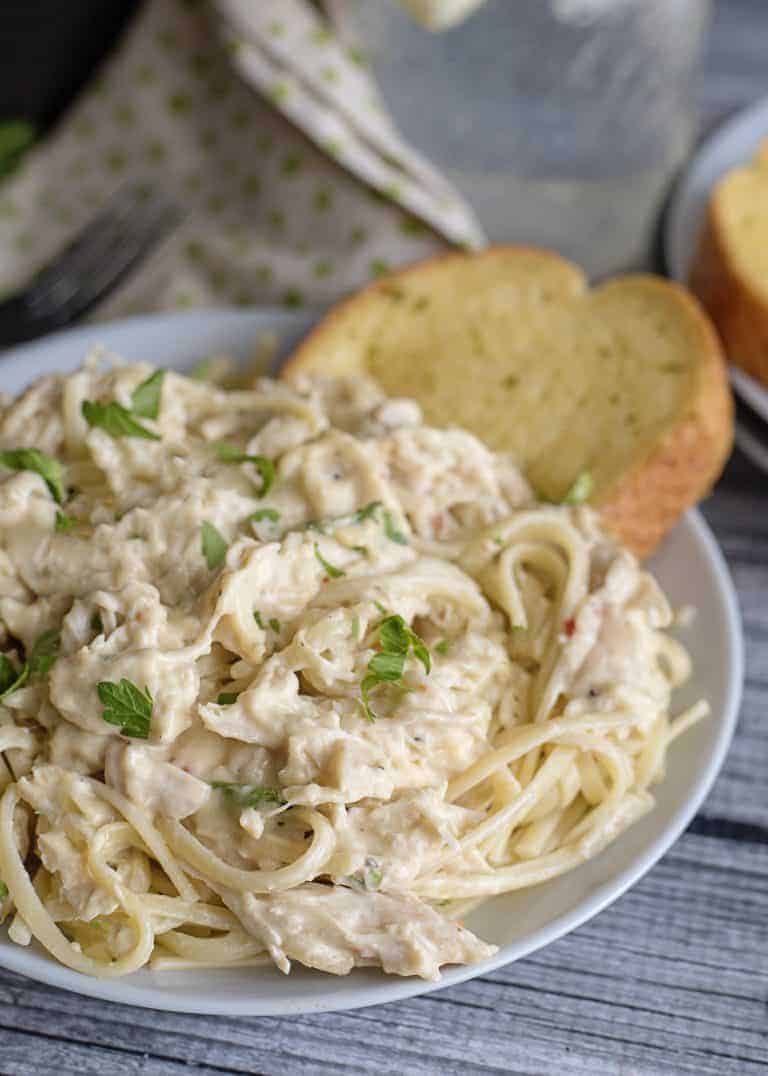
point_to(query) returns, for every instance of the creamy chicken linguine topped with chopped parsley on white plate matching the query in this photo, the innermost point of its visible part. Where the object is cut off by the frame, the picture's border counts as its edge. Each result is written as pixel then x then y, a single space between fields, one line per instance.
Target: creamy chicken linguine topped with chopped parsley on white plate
pixel 289 676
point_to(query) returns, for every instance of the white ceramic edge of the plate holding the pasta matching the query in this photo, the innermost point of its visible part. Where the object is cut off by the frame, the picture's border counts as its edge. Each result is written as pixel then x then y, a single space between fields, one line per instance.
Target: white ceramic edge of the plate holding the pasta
pixel 207 329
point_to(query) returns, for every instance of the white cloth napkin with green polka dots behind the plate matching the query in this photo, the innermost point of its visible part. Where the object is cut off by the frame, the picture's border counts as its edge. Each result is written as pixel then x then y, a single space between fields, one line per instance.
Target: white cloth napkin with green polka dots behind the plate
pixel 247 117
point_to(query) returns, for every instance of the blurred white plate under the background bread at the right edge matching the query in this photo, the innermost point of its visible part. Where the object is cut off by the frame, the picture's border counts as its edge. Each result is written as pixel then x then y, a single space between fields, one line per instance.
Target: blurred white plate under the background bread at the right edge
pixel 732 145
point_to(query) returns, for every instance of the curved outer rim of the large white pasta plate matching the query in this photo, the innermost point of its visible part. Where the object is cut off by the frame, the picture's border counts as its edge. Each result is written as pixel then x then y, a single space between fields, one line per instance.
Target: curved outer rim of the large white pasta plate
pixel 18 959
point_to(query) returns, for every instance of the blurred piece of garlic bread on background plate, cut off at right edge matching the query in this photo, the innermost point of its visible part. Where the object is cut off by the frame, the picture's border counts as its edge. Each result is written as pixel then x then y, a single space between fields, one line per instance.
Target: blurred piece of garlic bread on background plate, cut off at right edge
pixel 730 273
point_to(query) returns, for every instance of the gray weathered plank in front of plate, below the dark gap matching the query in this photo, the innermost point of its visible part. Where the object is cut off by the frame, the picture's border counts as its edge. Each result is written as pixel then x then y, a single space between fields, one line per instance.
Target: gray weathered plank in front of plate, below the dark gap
pixel 671 980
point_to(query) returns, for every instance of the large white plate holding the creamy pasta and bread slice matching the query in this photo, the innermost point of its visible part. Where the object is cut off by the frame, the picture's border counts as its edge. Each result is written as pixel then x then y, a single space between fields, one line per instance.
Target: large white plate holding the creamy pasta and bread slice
pixel 693 572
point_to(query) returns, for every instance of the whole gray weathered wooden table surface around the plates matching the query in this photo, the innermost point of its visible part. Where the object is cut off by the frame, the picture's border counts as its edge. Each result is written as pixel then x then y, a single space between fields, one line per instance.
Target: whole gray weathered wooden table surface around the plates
pixel 671 980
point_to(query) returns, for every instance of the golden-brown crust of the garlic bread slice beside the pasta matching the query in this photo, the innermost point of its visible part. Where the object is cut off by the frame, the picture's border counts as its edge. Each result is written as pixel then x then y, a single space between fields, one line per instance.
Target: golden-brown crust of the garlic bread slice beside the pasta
pixel 682 465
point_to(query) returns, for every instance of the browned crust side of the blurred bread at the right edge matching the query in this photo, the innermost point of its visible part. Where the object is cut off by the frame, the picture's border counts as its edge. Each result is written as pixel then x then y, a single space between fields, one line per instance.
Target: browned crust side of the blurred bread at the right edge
pixel 739 314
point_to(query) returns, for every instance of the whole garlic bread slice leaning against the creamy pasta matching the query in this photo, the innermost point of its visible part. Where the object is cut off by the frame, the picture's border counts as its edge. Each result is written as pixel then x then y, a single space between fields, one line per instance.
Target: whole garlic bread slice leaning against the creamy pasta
pixel 627 381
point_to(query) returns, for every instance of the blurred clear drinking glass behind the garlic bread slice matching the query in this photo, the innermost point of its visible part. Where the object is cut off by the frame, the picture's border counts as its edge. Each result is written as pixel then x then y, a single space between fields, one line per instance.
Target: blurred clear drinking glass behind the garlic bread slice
pixel 562 121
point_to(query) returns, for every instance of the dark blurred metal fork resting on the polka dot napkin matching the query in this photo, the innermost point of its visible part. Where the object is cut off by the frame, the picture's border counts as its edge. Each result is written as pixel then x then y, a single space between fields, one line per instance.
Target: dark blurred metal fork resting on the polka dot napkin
pixel 99 257
